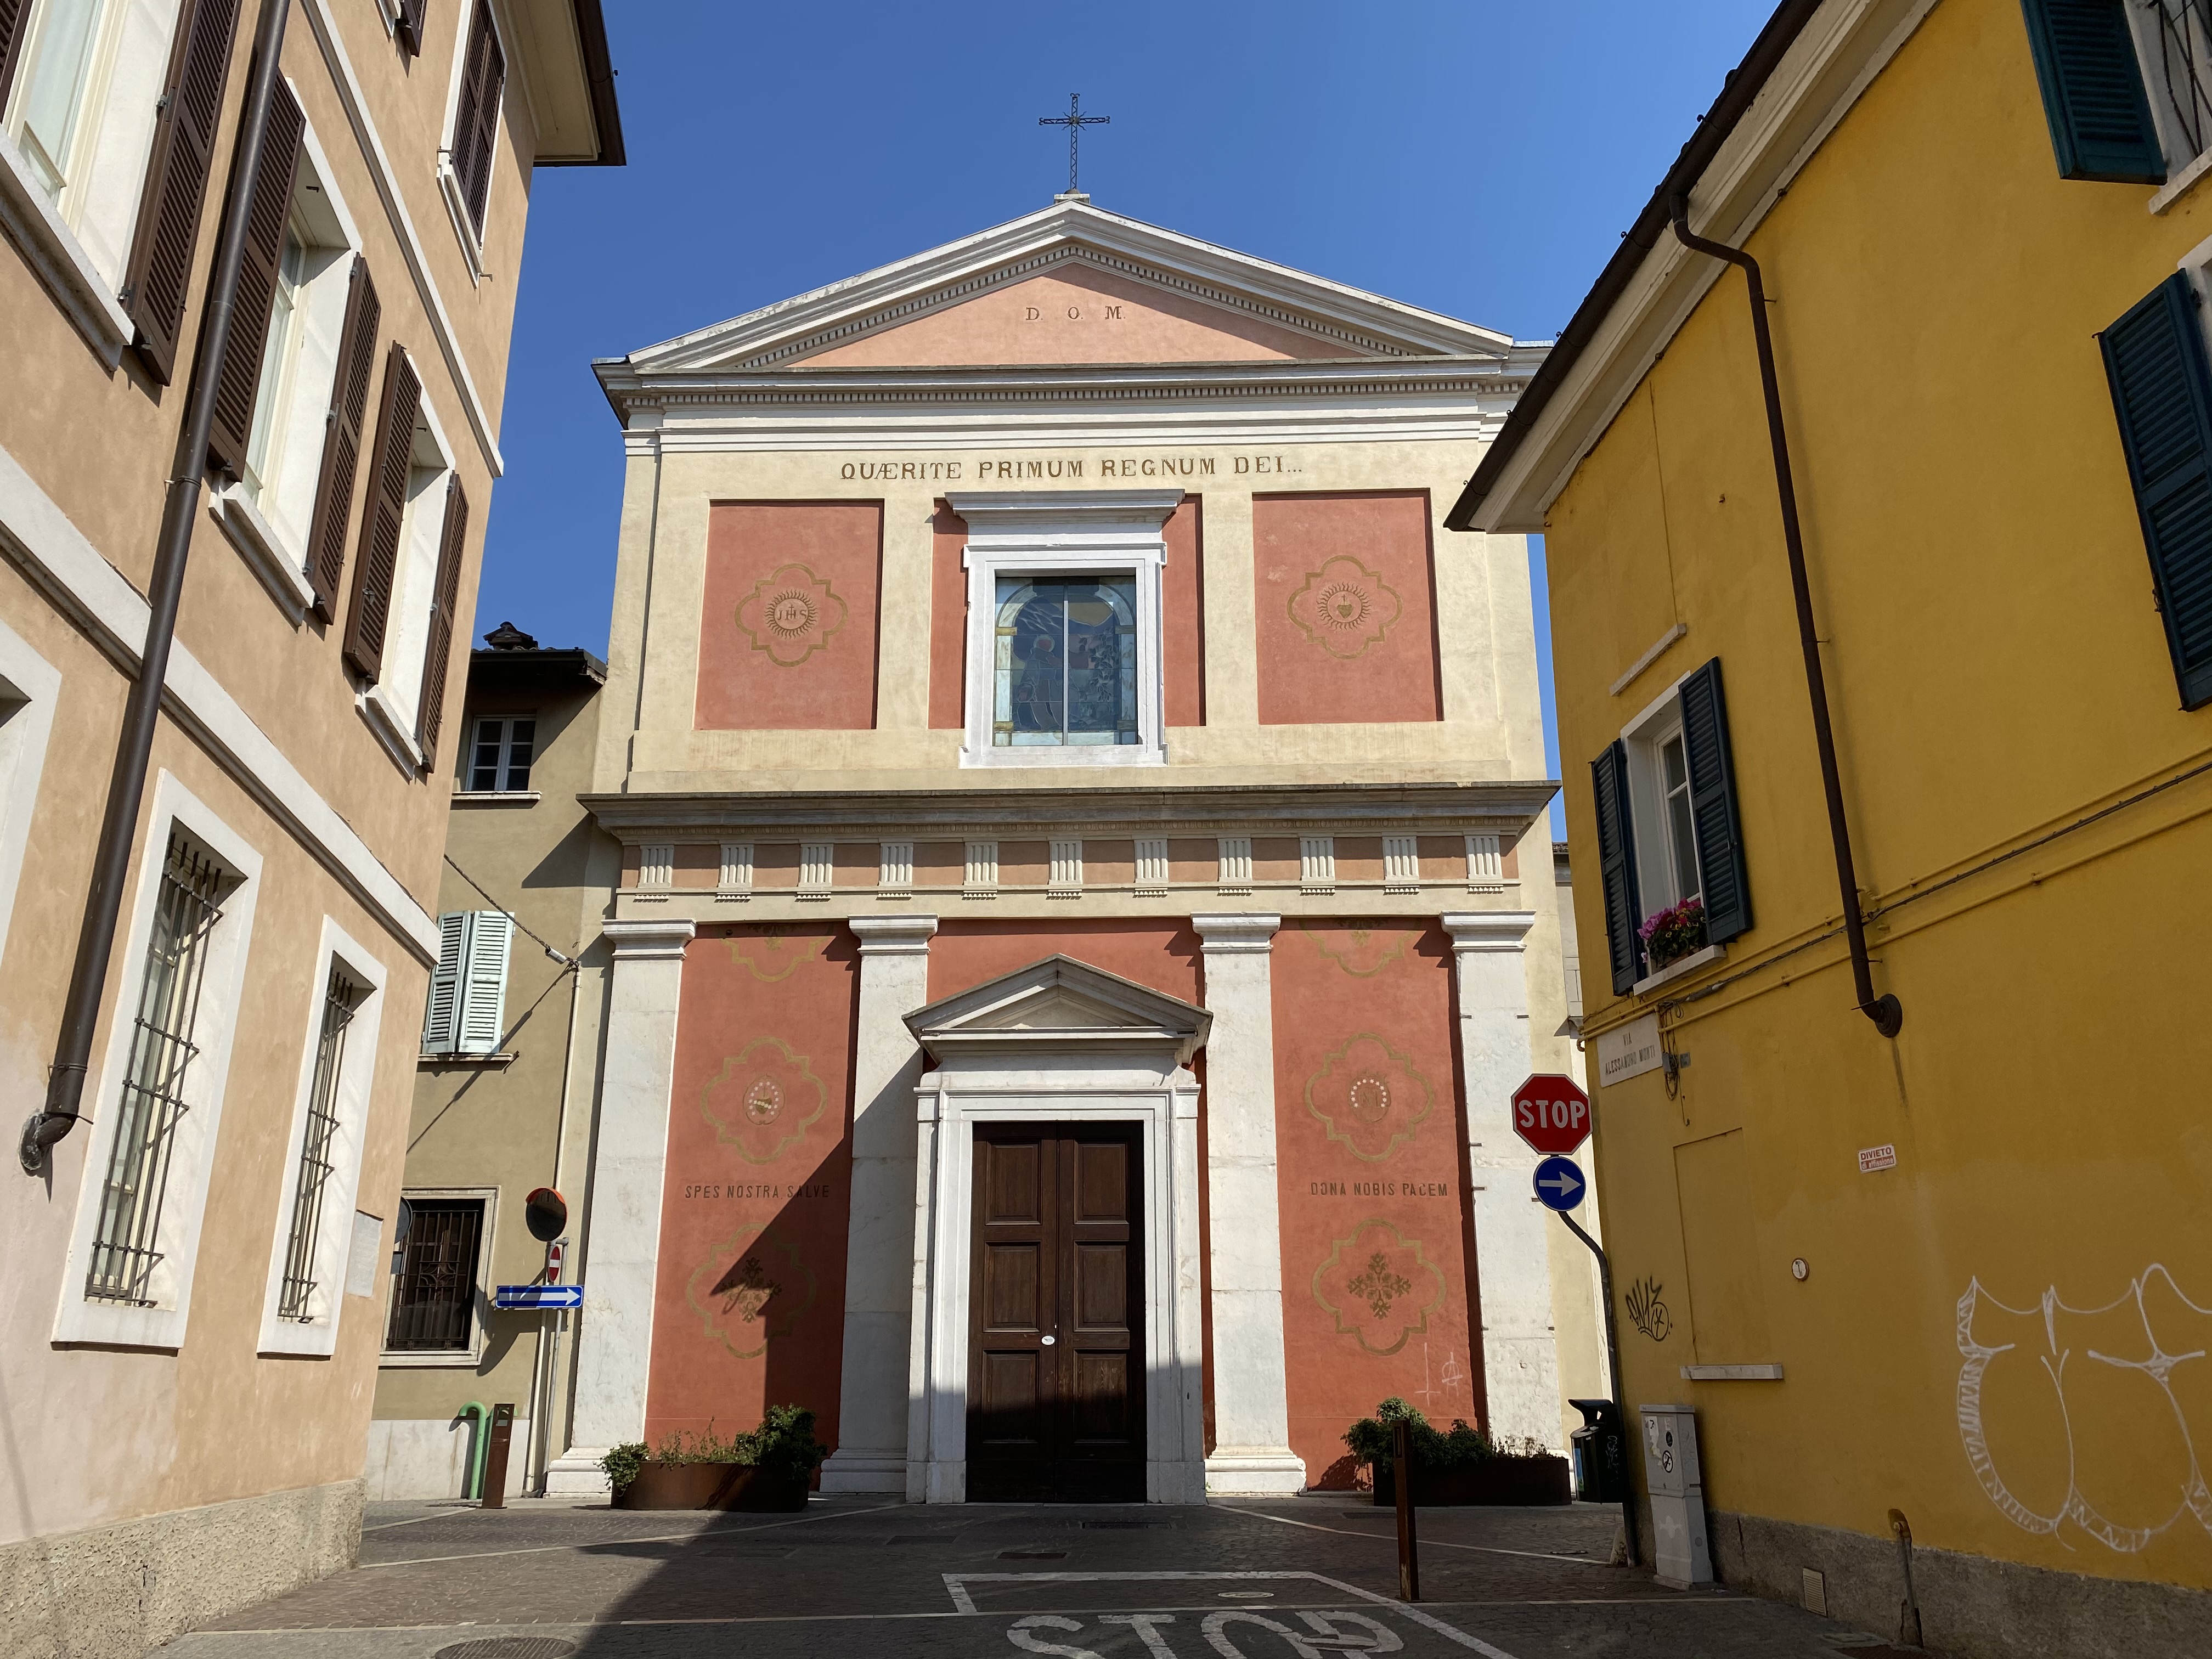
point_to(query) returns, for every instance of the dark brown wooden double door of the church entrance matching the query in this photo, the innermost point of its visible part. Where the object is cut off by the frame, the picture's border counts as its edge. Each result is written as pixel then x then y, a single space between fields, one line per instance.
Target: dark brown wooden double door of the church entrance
pixel 1056 1326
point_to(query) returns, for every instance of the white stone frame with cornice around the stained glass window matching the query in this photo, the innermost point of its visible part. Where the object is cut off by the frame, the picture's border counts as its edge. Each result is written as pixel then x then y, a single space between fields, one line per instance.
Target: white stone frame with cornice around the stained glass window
pixel 1067 534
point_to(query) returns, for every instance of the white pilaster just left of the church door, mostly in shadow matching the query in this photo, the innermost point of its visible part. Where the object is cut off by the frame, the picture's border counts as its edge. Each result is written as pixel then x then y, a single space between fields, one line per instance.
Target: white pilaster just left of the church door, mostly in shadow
pixel 879 1253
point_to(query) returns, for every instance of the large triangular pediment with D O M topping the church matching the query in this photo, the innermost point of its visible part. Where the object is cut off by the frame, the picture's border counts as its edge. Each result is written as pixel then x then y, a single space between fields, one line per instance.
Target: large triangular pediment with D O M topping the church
pixel 1005 298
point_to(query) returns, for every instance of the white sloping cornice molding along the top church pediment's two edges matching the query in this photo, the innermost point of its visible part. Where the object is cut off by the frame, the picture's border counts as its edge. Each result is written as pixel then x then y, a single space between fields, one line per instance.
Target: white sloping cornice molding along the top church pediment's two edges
pixel 957 271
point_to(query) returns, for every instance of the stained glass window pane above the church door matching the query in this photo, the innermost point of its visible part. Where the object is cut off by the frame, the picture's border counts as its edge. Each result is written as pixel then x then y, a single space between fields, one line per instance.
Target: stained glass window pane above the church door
pixel 1067 662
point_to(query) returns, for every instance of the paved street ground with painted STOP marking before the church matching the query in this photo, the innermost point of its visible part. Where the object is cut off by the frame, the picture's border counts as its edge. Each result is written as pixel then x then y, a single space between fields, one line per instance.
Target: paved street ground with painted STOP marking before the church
pixel 1249 1580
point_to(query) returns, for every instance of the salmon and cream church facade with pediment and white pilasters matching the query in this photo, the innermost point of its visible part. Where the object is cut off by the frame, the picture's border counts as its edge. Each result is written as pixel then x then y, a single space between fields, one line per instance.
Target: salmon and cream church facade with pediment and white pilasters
pixel 1087 895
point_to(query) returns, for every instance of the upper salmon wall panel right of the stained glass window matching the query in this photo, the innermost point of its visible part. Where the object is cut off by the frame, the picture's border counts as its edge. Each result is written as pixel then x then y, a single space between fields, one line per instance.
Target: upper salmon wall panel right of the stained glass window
pixel 1346 609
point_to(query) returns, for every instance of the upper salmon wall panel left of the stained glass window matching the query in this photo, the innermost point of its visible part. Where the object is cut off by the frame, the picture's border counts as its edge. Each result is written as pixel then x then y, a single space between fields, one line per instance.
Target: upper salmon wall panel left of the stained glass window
pixel 789 618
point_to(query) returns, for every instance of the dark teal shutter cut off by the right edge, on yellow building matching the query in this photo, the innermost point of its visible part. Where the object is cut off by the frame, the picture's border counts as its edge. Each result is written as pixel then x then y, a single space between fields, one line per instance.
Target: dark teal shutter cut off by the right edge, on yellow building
pixel 2162 393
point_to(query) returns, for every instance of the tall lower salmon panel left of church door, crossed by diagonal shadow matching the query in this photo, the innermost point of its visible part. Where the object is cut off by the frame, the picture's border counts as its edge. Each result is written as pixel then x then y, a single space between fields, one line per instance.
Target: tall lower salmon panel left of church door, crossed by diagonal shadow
pixel 751 1300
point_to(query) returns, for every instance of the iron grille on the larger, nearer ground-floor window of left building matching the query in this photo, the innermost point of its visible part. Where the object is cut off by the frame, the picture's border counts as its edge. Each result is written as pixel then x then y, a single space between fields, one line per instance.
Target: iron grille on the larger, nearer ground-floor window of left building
pixel 152 1105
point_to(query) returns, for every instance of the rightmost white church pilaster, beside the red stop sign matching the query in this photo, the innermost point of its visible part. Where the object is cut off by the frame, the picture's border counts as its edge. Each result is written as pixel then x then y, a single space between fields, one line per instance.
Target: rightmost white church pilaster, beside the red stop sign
pixel 1521 1359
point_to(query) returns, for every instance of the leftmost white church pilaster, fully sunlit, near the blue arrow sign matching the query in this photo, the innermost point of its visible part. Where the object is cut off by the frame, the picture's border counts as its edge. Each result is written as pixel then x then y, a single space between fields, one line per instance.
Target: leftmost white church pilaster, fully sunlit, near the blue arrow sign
pixel 623 1233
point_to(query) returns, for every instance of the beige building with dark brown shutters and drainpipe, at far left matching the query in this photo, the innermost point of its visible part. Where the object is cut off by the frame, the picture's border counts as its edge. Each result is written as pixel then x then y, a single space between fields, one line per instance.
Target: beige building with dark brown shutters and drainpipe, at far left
pixel 198 1255
